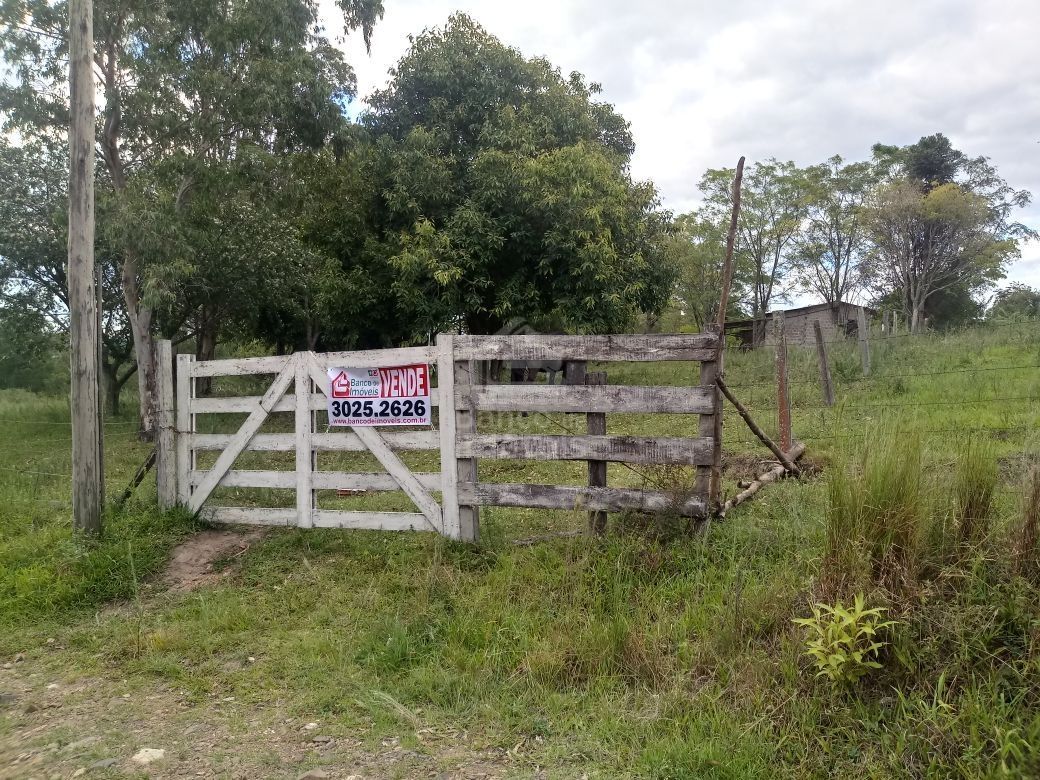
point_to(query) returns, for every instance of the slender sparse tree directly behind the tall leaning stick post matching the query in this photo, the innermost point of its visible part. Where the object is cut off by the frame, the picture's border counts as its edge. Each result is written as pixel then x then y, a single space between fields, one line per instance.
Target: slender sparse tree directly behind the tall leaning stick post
pixel 773 209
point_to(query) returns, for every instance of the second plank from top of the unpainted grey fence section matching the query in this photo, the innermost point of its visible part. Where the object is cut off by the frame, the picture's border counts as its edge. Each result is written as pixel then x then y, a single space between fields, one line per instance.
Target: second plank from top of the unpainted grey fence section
pixel 588 399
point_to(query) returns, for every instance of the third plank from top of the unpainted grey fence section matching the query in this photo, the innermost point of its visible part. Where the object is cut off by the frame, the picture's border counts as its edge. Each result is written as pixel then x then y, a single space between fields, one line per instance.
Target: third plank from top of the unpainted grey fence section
pixel 616 449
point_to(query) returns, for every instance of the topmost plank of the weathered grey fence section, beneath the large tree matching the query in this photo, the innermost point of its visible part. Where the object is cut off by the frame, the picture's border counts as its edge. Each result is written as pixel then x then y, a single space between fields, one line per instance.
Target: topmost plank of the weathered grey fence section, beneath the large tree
pixel 620 348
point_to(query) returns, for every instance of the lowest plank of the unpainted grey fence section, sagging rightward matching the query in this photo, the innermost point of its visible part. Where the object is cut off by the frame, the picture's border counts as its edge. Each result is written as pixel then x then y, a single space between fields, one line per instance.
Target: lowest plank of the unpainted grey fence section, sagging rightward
pixel 578 498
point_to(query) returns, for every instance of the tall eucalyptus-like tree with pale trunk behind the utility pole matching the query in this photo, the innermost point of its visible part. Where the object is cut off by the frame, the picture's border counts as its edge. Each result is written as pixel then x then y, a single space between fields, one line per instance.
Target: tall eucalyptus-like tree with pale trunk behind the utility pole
pixel 183 81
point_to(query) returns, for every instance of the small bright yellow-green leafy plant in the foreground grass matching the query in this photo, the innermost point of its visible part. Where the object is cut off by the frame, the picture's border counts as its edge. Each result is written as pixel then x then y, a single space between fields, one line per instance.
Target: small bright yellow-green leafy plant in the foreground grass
pixel 844 642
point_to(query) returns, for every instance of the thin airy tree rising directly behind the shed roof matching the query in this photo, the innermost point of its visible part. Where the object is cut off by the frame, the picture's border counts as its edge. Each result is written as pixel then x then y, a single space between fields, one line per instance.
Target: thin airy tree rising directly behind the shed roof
pixel 831 249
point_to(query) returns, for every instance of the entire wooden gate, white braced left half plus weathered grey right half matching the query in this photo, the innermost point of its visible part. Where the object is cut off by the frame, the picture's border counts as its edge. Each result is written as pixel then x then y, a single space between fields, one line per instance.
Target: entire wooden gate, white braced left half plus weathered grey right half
pixel 461 401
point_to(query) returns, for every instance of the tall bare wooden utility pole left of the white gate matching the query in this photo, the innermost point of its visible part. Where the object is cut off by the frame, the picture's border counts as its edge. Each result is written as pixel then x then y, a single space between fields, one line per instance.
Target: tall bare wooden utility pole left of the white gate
pixel 88 478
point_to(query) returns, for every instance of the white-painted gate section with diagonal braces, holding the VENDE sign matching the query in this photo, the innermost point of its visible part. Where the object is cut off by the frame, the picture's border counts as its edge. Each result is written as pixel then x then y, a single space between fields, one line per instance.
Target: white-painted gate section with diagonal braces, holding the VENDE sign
pixel 301 386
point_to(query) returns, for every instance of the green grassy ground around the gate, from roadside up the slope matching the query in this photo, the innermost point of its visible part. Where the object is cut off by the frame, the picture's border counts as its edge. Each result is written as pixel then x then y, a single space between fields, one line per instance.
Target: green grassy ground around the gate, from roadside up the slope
pixel 642 655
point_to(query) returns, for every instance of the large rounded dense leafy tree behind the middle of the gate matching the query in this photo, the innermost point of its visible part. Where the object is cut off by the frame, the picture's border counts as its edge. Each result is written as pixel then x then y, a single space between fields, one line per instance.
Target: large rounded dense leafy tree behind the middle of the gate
pixel 507 194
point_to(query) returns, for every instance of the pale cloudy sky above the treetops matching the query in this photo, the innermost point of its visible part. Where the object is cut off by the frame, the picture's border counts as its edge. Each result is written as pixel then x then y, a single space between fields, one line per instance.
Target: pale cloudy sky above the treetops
pixel 705 83
